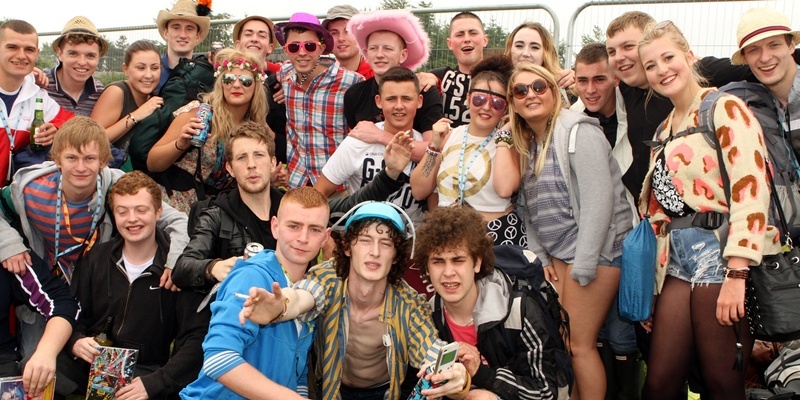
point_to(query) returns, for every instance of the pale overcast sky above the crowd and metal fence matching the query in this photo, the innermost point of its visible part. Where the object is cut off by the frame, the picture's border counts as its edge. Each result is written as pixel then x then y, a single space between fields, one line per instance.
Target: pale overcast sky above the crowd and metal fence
pixel 709 25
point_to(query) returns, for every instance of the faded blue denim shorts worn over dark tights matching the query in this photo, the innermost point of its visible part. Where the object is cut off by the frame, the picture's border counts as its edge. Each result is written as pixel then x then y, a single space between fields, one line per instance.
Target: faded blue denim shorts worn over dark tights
pixel 695 256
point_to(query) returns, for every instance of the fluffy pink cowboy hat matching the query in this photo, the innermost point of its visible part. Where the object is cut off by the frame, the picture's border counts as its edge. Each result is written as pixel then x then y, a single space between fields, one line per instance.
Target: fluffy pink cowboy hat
pixel 401 22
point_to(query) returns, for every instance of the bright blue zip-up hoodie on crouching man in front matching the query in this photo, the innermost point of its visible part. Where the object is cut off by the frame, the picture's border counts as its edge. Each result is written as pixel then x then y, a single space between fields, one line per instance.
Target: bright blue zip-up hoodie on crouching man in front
pixel 274 349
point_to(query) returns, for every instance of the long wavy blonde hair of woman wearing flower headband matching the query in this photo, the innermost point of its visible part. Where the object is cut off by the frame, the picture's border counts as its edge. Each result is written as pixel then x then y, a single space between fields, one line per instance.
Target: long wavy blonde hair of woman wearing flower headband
pixel 222 120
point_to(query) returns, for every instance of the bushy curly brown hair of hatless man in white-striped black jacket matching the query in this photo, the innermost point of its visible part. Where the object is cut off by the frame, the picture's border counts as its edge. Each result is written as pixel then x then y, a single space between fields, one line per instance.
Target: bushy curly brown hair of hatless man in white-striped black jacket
pixel 454 227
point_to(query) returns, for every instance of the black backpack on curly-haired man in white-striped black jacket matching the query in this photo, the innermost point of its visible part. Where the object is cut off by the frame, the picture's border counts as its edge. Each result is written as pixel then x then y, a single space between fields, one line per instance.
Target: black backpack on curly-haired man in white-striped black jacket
pixel 527 280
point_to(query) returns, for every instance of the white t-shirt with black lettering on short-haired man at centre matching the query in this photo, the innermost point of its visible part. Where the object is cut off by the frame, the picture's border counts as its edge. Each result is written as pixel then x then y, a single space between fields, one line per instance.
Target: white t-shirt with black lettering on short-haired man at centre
pixel 357 163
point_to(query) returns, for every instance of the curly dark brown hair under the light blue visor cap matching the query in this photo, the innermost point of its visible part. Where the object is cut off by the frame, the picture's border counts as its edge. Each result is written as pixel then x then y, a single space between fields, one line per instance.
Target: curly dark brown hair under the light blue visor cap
pixel 345 240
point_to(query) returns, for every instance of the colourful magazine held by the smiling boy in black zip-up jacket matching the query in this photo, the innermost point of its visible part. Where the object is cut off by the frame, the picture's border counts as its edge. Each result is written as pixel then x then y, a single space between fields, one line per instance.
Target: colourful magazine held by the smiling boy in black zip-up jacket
pixel 111 370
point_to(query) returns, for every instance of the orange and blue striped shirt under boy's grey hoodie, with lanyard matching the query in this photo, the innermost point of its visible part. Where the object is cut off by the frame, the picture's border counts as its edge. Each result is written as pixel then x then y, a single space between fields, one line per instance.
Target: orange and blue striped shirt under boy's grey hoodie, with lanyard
pixel 40 207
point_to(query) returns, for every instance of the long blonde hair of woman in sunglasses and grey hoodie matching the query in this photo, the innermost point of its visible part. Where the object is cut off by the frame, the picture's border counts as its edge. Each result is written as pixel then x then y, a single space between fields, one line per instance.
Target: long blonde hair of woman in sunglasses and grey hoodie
pixel 521 132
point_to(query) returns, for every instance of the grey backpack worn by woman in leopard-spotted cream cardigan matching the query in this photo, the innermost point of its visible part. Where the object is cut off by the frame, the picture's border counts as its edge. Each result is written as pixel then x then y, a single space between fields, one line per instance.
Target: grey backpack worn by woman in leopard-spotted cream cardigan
pixel 782 159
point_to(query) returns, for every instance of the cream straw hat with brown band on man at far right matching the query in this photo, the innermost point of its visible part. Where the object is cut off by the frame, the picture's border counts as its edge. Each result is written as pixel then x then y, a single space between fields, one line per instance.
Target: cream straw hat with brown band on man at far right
pixel 760 23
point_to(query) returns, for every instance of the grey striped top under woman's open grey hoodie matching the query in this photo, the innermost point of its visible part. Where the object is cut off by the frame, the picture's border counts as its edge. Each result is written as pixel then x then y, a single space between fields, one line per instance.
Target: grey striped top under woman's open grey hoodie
pixel 548 202
